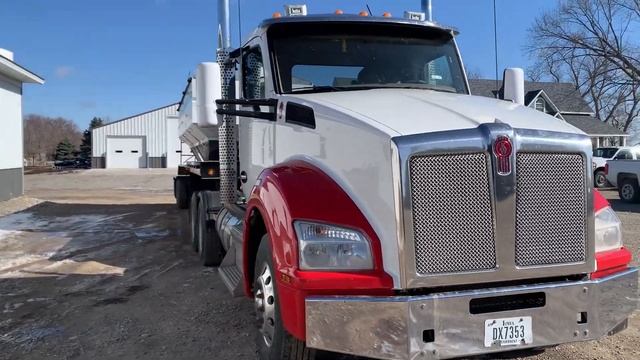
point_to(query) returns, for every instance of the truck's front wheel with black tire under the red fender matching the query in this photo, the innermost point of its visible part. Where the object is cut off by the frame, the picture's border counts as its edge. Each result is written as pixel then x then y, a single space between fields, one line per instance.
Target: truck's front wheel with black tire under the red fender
pixel 272 340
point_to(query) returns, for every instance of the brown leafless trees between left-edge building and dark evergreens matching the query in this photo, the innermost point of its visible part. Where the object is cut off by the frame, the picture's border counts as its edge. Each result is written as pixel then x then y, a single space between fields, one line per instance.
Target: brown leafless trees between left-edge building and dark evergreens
pixel 42 134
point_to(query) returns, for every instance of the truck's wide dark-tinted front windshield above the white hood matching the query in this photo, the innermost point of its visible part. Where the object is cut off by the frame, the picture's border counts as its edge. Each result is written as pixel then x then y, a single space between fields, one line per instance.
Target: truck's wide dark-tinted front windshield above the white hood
pixel 341 57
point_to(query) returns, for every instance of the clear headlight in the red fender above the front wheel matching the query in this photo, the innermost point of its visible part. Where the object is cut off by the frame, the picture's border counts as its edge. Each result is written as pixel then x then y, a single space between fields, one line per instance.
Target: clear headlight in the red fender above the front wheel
pixel 328 247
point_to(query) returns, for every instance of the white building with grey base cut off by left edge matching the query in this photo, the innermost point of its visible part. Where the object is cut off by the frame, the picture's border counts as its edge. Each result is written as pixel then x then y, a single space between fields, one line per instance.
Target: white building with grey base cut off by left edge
pixel 12 76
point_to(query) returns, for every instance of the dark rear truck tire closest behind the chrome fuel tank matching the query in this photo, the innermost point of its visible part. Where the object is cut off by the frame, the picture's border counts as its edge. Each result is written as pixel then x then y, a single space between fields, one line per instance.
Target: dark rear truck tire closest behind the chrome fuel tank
pixel 209 244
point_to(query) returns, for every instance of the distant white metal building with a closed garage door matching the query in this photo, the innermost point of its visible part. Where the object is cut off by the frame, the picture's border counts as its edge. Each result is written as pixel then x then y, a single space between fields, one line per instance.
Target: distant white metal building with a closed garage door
pixel 147 140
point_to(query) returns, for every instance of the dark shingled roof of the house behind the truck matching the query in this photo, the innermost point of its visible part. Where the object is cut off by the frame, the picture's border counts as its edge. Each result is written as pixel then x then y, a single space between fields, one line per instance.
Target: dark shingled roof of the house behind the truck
pixel 564 95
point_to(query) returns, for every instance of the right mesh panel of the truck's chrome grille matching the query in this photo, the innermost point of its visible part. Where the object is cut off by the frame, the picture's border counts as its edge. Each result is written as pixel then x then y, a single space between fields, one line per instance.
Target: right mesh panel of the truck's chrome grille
pixel 550 209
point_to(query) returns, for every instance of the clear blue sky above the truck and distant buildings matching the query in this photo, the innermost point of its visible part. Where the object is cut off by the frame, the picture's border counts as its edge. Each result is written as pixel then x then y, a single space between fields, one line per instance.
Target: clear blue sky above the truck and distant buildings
pixel 115 58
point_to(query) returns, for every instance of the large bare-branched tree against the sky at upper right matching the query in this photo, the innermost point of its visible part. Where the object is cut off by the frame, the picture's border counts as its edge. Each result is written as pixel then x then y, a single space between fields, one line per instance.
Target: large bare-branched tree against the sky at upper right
pixel 591 43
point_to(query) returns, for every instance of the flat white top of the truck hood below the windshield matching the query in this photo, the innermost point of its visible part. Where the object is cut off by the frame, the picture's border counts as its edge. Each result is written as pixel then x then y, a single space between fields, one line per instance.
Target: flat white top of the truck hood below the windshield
pixel 415 111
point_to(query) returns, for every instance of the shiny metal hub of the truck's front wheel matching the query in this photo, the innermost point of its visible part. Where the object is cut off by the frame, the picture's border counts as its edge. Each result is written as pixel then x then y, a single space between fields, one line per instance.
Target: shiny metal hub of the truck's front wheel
pixel 264 303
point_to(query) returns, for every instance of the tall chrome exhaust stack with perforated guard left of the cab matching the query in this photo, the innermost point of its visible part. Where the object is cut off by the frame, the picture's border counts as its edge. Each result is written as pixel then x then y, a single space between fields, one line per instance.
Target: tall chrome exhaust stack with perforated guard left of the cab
pixel 227 130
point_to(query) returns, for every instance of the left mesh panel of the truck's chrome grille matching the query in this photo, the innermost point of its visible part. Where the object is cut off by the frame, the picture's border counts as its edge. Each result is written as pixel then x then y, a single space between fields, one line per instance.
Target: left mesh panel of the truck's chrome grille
pixel 452 213
